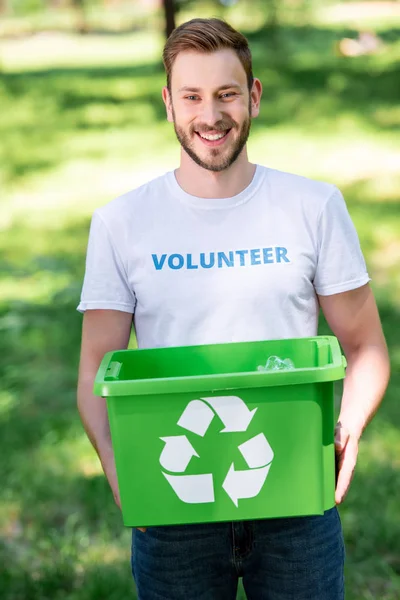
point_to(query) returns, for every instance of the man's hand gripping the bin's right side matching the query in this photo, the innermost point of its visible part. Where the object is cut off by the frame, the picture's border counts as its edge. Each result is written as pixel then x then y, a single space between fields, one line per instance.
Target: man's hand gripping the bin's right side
pixel 346 449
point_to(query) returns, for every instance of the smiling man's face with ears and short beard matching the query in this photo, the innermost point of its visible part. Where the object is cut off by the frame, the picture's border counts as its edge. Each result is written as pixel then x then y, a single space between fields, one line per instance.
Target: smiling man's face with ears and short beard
pixel 210 106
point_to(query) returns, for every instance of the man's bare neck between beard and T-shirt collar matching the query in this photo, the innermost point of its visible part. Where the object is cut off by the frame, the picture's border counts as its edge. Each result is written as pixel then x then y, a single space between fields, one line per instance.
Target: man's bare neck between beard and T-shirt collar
pixel 197 181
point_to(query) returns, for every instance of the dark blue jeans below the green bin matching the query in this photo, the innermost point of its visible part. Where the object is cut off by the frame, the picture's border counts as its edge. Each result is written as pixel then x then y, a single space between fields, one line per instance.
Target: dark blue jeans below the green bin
pixel 298 558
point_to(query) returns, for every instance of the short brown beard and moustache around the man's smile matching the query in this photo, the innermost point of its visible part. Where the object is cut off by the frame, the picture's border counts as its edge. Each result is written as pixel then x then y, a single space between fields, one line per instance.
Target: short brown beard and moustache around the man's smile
pixel 219 158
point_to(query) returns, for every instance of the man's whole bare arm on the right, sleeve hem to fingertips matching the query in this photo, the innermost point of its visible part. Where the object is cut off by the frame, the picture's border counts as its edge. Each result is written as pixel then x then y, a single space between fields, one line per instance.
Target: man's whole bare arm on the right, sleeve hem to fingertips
pixel 354 319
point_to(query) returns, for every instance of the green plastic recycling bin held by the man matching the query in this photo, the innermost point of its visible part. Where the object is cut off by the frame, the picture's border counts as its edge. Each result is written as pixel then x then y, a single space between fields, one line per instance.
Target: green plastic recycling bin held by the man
pixel 201 435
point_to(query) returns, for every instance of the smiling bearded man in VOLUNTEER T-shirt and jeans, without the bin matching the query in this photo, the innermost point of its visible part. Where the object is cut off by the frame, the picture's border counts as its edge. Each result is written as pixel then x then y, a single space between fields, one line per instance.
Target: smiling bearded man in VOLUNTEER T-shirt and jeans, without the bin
pixel 223 250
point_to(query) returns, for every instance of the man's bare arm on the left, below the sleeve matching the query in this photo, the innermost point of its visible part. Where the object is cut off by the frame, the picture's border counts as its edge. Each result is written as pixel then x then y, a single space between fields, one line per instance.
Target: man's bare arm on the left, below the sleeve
pixel 102 331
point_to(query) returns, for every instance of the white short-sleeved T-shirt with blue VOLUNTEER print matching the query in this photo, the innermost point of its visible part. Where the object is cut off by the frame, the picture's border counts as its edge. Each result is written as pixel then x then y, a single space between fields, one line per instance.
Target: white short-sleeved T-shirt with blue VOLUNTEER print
pixel 198 271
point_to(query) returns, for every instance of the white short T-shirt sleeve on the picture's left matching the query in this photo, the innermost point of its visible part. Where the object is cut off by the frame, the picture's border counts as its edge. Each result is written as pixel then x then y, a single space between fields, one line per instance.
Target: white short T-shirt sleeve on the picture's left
pixel 105 284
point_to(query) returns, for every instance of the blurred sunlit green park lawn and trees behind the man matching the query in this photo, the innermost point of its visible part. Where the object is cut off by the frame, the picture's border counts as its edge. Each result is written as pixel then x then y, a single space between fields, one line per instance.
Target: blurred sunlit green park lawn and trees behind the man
pixel 82 121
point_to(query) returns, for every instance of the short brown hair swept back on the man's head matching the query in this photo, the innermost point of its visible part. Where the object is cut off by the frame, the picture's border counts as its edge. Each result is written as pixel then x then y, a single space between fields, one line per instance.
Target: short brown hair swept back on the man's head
pixel 206 35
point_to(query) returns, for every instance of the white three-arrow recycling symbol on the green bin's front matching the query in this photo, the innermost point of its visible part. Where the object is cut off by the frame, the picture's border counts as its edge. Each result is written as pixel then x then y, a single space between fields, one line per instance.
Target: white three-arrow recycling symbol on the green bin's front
pixel 178 452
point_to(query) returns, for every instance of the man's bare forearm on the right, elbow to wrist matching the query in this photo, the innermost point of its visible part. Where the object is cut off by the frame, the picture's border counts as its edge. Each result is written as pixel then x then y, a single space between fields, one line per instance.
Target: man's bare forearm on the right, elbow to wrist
pixel 365 384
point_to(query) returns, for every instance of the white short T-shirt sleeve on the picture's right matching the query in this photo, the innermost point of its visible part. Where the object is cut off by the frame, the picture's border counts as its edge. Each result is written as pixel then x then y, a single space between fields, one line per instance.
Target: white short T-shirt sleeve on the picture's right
pixel 340 266
